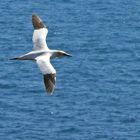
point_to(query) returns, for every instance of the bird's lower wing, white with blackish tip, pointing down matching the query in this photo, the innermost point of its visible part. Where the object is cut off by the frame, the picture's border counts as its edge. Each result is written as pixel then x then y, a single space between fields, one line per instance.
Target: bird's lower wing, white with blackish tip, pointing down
pixel 48 72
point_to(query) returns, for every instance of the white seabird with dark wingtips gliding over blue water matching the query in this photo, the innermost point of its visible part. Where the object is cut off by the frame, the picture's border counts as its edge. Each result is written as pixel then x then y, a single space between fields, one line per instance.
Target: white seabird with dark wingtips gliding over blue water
pixel 42 54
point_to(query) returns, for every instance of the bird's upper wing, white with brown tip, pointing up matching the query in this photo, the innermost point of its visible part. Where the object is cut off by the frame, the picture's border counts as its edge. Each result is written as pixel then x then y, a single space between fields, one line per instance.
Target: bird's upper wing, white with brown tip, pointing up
pixel 39 34
